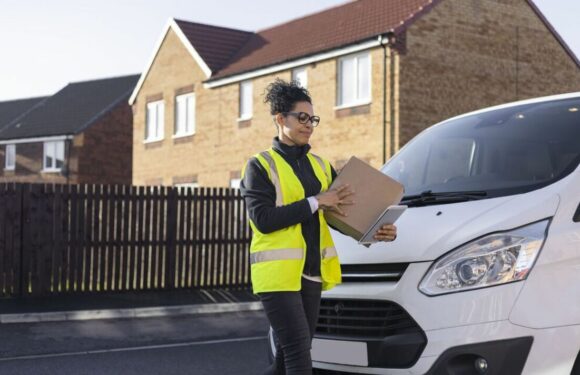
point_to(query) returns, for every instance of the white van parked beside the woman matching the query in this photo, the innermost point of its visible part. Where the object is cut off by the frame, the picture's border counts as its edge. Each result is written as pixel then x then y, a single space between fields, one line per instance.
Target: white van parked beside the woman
pixel 484 276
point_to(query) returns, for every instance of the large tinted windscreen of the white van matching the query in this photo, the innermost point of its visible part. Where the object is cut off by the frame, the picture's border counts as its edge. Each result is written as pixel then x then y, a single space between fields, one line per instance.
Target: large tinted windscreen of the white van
pixel 501 152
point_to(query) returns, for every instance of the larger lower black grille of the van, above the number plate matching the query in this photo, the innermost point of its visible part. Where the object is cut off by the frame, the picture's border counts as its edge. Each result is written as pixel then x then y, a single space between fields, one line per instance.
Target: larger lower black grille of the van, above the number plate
pixel 353 318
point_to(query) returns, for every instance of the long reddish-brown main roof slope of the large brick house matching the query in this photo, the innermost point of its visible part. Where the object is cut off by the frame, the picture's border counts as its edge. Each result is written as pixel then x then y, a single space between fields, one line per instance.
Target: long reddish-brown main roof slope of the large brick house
pixel 353 22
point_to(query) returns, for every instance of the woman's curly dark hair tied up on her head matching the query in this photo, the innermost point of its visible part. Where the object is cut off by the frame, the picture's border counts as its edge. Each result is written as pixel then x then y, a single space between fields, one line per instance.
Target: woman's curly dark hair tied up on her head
pixel 283 96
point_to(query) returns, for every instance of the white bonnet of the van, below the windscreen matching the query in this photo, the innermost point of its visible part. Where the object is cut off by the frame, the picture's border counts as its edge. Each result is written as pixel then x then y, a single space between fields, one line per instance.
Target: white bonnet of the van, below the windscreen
pixel 426 233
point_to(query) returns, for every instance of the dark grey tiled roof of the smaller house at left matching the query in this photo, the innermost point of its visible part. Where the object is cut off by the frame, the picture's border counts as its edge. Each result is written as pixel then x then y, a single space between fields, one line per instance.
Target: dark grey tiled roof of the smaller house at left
pixel 72 109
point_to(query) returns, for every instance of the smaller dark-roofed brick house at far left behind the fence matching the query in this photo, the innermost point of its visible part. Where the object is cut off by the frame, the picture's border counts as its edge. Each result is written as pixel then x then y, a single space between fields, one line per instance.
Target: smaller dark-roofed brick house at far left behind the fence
pixel 81 134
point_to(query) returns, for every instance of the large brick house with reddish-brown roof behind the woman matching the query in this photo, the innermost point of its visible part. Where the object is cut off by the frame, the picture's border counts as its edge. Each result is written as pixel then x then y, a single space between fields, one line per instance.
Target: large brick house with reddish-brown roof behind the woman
pixel 379 72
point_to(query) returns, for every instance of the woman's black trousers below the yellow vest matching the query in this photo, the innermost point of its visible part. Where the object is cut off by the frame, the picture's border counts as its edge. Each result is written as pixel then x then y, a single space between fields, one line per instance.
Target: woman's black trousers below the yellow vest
pixel 293 317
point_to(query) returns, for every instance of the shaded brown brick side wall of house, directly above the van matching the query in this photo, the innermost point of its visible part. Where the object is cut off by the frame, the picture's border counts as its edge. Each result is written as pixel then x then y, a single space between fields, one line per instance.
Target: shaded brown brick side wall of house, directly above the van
pixel 464 54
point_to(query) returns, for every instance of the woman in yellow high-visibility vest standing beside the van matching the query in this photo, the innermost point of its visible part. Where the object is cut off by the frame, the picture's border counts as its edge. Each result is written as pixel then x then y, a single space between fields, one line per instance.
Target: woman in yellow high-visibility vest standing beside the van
pixel 292 254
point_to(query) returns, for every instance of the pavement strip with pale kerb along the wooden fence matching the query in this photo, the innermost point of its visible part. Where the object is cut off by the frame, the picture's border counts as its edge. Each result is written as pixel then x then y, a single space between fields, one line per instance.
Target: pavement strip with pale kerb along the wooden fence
pixel 126 305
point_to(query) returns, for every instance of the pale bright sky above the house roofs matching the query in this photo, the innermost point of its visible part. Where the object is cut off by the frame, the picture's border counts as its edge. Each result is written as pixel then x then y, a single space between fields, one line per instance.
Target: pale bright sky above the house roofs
pixel 46 44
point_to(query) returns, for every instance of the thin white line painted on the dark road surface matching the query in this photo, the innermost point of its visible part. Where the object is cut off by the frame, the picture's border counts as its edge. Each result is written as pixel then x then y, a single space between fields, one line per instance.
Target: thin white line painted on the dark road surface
pixel 134 348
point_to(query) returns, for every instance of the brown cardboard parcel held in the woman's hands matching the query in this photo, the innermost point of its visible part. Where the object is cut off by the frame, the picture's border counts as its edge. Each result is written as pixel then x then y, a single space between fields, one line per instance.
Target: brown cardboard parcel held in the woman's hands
pixel 373 193
